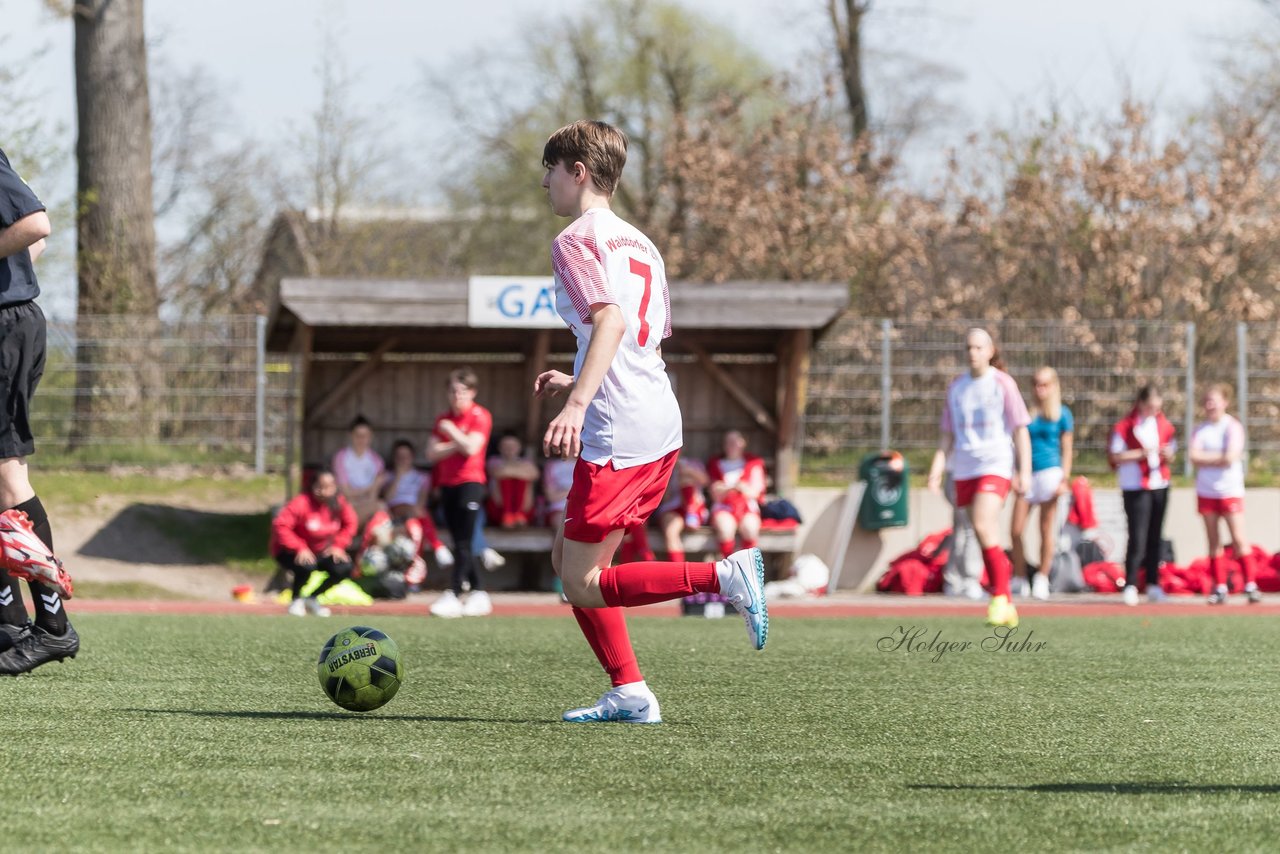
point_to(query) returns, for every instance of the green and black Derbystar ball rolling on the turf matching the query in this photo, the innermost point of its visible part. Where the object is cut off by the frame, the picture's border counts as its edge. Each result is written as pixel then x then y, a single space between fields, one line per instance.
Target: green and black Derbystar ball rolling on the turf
pixel 360 669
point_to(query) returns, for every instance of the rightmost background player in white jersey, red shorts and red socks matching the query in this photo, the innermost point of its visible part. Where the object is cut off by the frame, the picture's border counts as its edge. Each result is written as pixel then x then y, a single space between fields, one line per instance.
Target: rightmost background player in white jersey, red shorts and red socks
pixel 1218 446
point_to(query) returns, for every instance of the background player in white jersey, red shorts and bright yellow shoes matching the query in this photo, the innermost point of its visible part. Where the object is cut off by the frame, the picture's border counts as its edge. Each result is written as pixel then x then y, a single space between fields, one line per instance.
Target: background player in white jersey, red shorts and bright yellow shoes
pixel 985 432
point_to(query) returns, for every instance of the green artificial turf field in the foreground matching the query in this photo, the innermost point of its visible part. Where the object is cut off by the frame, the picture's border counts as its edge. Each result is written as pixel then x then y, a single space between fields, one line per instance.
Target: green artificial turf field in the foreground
pixel 213 734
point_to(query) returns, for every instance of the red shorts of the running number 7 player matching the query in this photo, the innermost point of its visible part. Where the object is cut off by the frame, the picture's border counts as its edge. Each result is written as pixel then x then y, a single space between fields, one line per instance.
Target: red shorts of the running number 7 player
pixel 605 500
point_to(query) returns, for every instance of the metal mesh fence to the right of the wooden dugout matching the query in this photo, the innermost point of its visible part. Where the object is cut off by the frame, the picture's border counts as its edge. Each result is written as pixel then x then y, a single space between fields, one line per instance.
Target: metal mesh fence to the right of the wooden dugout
pixel 881 385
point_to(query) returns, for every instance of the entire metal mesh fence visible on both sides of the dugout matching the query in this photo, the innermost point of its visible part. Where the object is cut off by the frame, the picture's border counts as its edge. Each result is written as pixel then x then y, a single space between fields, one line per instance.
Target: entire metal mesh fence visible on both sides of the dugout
pixel 218 398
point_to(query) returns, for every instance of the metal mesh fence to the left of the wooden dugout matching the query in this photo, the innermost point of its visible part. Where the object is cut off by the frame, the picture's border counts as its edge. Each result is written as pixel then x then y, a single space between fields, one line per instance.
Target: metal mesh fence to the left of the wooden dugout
pixel 163 392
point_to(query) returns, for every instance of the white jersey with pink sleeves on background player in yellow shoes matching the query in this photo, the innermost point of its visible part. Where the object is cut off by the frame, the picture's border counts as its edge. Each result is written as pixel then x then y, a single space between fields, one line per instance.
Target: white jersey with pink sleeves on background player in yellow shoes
pixel 982 414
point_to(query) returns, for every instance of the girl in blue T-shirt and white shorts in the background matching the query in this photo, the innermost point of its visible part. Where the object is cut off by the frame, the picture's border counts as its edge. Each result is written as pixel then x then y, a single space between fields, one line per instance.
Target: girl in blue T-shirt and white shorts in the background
pixel 1052 431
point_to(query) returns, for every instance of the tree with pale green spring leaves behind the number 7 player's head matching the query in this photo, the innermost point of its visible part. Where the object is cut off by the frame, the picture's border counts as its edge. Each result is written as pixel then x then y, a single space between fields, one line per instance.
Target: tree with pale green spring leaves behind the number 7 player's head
pixel 648 67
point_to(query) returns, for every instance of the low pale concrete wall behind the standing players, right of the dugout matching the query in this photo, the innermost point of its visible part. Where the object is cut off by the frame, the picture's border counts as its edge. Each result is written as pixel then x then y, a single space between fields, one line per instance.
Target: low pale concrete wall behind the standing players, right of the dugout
pixel 870 552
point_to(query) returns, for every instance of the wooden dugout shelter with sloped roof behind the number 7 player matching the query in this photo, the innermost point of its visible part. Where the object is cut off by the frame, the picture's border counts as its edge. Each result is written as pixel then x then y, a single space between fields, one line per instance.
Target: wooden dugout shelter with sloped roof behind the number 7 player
pixel 383 349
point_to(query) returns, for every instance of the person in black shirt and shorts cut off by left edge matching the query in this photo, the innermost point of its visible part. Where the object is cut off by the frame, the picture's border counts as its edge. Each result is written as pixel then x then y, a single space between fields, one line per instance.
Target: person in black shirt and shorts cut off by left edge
pixel 26 538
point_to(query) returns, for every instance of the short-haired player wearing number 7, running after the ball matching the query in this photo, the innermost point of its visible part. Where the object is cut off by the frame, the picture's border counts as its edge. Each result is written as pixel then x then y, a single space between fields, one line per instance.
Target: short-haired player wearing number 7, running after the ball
pixel 621 422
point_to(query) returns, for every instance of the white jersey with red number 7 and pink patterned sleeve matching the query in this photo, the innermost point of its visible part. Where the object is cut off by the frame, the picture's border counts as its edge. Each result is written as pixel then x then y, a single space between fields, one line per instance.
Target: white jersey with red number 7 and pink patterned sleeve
pixel 634 418
